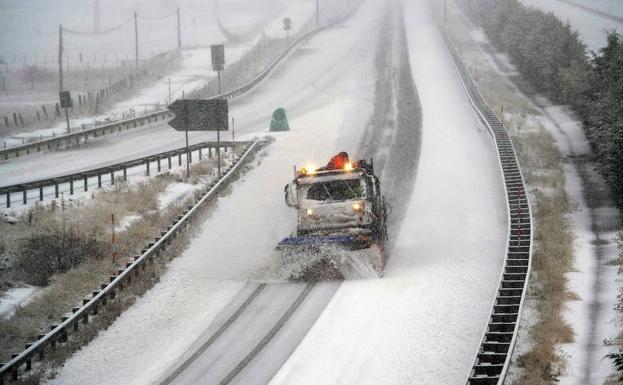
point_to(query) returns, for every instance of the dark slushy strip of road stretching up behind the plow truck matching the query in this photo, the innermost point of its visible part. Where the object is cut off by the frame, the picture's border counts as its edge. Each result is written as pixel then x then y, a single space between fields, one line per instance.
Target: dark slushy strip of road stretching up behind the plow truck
pixel 393 139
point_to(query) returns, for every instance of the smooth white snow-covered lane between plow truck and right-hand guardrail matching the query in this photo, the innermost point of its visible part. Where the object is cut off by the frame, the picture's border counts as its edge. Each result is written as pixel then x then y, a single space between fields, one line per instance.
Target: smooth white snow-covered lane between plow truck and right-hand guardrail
pixel 422 323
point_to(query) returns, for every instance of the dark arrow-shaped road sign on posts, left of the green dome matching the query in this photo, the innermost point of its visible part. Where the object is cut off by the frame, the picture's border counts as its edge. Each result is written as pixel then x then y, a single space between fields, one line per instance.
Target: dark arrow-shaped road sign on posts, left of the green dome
pixel 201 115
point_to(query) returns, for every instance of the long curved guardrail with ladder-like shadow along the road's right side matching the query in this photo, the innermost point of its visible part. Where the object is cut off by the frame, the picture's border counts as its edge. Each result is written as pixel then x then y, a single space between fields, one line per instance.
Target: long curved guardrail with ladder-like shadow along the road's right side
pixel 495 352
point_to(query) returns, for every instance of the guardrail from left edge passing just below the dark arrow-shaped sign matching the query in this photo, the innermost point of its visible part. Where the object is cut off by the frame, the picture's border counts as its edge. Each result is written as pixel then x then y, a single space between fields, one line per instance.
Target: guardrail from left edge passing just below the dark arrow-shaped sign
pixel 84 176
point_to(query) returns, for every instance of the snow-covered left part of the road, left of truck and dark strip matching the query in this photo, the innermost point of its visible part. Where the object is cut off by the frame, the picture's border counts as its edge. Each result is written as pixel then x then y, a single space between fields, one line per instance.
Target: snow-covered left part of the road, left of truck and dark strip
pixel 320 96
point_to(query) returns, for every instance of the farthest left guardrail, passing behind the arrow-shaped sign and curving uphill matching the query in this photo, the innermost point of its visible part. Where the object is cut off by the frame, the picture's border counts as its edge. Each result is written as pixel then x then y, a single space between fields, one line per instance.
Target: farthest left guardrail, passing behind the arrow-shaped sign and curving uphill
pixel 79 136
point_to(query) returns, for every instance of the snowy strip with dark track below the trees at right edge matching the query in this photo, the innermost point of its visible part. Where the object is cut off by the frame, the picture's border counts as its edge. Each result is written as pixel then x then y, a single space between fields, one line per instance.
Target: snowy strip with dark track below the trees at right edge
pixel 595 280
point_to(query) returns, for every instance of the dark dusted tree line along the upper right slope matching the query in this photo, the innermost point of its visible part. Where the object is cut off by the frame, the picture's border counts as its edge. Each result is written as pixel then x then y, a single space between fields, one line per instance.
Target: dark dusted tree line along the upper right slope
pixel 551 56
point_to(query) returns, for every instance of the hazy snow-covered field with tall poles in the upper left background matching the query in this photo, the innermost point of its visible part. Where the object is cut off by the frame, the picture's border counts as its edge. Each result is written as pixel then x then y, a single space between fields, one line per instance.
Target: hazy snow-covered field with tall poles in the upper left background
pixel 30 28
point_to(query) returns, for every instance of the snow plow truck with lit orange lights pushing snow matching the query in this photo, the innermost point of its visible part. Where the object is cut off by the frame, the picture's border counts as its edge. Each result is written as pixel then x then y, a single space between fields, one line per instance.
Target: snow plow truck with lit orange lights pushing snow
pixel 341 222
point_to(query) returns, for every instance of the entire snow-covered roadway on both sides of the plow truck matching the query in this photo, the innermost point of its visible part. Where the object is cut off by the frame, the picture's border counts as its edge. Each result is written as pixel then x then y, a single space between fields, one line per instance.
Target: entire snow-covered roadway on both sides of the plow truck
pixel 422 323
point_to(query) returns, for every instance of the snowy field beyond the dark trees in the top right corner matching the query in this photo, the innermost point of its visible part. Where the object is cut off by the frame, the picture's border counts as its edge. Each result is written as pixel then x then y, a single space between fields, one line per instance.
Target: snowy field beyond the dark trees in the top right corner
pixel 593 28
